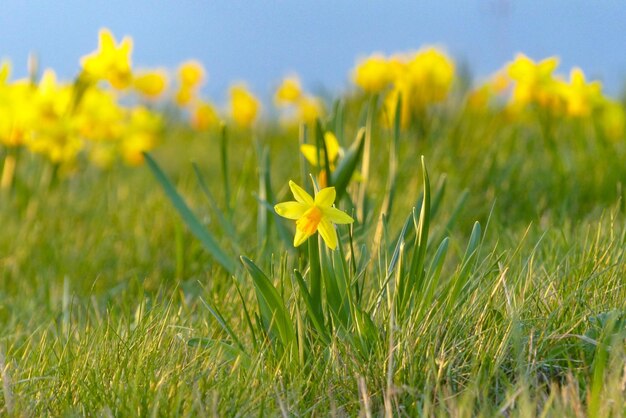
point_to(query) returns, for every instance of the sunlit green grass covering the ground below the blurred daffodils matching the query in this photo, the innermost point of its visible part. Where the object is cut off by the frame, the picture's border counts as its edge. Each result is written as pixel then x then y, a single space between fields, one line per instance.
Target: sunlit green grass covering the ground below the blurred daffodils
pixel 109 305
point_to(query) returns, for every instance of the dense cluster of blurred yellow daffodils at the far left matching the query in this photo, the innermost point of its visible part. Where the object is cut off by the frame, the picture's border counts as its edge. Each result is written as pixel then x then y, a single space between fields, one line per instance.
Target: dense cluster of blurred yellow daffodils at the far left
pixel 67 121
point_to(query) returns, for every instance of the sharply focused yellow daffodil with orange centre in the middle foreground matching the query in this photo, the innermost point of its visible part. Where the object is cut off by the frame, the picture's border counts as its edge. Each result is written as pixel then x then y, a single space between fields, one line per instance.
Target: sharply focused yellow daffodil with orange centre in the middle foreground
pixel 313 214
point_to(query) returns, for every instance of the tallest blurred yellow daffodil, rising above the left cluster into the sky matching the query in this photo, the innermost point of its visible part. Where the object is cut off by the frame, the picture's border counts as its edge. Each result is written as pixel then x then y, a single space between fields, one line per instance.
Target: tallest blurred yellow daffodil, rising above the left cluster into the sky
pixel 110 62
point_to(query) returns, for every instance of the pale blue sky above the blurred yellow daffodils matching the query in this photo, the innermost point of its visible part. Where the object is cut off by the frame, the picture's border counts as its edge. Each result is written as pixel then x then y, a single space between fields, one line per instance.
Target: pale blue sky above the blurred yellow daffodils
pixel 260 41
